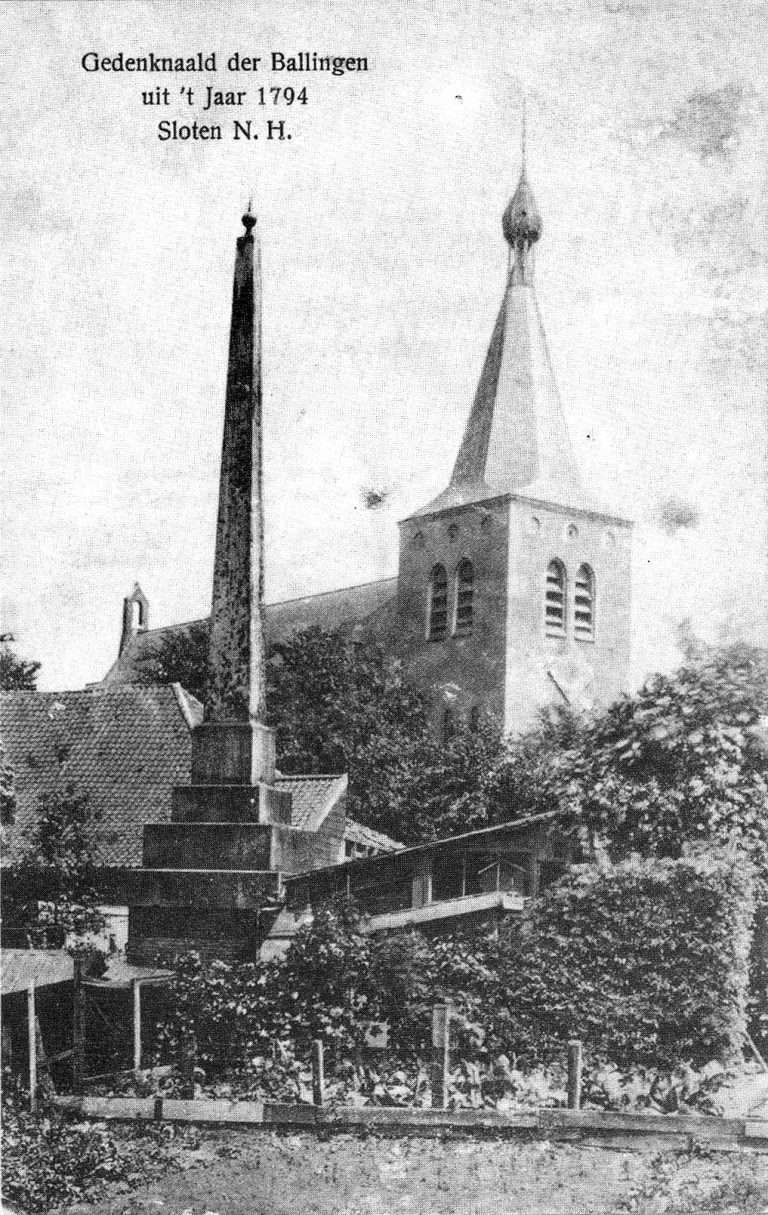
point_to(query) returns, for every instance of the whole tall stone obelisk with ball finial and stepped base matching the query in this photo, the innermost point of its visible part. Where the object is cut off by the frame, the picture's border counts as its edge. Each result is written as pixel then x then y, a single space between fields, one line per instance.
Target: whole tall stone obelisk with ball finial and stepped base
pixel 212 877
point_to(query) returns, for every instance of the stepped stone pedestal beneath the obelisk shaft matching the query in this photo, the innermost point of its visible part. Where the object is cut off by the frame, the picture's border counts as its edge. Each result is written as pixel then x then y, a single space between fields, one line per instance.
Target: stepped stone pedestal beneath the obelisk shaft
pixel 211 879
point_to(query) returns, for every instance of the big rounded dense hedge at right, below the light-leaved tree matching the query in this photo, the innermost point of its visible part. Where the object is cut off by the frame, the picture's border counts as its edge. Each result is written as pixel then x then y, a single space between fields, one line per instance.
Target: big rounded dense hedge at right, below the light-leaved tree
pixel 646 962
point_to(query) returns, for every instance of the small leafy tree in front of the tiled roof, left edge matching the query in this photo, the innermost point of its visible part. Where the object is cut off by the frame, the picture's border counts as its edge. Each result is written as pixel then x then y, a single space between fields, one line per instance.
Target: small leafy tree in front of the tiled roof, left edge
pixel 49 894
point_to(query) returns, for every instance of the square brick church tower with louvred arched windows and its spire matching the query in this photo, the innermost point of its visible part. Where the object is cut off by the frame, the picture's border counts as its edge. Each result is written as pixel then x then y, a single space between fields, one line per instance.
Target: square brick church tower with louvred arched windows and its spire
pixel 513 584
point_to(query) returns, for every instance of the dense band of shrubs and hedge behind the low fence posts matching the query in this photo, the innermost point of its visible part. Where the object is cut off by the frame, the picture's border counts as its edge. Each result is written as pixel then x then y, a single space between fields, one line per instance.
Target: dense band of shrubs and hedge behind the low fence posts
pixel 615 957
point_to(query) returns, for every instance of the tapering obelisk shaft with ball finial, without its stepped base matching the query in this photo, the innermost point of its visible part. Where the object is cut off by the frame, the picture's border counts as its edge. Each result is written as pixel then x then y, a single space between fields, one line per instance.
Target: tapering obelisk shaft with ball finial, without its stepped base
pixel 238 660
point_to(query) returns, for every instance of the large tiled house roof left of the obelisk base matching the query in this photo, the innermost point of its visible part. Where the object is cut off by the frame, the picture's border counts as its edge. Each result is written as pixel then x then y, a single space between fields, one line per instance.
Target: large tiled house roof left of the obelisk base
pixel 125 747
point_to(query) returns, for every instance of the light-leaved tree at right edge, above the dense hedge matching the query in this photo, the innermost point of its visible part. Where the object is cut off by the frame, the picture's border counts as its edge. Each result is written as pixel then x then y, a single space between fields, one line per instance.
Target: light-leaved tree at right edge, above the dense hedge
pixel 682 762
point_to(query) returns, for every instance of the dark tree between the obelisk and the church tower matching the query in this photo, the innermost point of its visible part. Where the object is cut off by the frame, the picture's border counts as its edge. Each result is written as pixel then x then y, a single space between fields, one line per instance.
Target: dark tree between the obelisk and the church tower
pixel 342 707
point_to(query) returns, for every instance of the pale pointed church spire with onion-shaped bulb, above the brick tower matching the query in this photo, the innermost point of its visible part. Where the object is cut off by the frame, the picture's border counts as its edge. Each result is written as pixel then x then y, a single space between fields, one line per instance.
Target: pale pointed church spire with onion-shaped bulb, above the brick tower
pixel 517 439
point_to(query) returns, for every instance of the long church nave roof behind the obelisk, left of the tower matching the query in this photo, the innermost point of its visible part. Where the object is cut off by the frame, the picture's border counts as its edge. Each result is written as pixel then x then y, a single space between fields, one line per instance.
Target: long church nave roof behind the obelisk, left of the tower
pixel 348 608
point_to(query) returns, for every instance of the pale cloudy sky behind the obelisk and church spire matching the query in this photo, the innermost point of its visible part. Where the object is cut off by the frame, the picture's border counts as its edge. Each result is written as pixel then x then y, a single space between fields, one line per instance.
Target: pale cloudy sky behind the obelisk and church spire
pixel 385 267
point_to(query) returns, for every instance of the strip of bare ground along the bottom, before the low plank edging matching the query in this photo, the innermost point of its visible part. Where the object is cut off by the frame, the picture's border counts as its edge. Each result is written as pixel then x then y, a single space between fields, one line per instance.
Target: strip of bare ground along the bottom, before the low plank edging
pixel 281 1172
